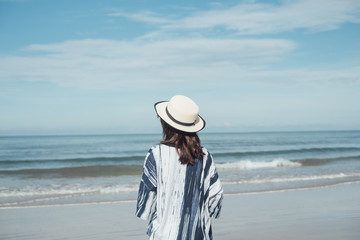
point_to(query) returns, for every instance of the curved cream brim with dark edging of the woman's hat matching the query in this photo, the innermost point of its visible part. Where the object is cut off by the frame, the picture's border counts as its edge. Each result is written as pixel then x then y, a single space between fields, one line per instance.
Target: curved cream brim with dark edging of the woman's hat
pixel 160 108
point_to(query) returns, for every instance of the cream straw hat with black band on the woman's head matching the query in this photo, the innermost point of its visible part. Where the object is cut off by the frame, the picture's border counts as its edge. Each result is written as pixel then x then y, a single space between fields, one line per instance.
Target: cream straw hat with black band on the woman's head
pixel 181 113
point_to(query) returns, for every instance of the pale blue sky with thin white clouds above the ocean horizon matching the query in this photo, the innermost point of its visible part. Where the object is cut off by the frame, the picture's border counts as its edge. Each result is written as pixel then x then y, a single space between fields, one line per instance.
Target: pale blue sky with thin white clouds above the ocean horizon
pixel 98 67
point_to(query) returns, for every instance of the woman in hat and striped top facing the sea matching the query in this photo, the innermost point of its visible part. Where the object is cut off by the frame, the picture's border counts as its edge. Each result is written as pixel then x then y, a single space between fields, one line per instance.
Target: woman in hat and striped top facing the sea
pixel 180 189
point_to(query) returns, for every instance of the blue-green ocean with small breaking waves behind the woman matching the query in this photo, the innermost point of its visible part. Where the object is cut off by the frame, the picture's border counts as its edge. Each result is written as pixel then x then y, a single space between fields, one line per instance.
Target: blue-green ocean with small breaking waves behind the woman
pixel 40 171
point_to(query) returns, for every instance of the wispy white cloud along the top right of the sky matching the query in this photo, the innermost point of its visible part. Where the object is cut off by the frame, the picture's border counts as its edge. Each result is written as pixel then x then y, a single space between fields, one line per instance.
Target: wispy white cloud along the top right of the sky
pixel 250 17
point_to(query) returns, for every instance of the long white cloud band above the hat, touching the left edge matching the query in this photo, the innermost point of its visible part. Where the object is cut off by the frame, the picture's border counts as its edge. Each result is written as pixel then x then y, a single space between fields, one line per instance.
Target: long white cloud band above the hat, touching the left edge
pixel 106 63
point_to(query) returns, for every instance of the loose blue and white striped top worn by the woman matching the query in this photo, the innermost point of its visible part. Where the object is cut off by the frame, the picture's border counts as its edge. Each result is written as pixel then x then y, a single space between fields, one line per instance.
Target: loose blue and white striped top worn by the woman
pixel 178 200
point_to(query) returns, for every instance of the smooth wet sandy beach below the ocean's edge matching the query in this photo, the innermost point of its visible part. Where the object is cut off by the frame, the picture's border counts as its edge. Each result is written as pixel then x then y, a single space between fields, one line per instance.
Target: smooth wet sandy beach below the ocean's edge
pixel 323 213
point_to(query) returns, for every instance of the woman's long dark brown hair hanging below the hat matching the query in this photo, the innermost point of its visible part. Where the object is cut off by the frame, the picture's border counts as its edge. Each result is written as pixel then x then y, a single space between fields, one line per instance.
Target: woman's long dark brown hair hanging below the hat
pixel 187 144
